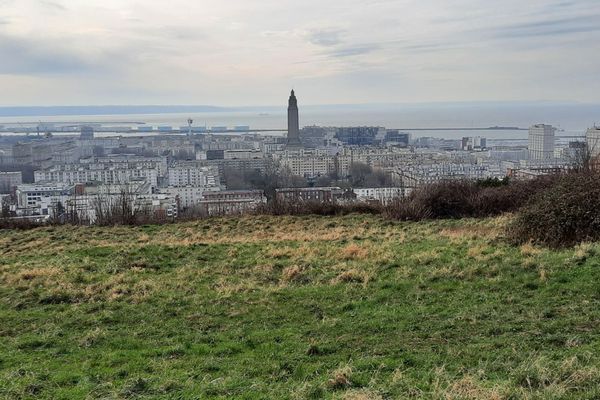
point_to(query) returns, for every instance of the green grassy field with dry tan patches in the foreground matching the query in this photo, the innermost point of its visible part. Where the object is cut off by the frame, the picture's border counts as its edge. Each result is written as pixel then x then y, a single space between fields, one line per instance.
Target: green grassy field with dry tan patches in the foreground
pixel 351 307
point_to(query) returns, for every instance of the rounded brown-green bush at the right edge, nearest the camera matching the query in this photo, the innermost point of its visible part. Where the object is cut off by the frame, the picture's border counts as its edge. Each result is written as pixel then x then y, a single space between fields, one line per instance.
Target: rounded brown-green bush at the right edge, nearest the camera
pixel 564 214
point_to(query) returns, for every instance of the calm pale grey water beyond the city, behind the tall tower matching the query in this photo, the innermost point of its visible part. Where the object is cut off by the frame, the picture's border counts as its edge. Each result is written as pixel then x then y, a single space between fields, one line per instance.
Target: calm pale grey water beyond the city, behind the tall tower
pixel 574 120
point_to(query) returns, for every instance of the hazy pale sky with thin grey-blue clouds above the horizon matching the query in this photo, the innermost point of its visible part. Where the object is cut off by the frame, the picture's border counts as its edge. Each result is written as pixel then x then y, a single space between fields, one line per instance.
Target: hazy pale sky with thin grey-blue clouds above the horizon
pixel 251 52
